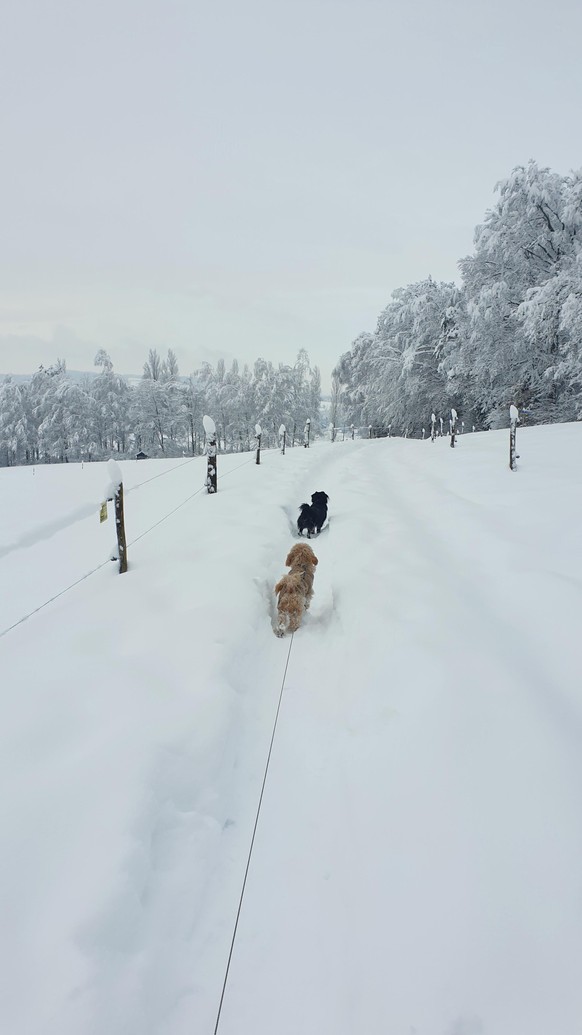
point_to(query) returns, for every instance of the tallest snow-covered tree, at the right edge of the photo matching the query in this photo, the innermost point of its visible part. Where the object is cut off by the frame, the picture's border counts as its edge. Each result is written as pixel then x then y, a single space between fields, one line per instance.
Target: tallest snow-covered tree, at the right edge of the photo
pixel 528 240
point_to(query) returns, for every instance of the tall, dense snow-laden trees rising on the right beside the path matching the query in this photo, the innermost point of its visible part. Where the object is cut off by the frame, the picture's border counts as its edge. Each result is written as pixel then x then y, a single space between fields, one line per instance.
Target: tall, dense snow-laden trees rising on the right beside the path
pixel 512 333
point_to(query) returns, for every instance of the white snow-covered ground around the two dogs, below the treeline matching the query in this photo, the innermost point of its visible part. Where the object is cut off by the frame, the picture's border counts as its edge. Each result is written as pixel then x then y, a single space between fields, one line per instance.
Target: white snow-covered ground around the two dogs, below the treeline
pixel 418 860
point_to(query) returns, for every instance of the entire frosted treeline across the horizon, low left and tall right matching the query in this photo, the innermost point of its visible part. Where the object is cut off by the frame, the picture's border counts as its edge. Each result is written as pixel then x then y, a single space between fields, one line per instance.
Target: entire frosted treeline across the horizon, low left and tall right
pixel 510 334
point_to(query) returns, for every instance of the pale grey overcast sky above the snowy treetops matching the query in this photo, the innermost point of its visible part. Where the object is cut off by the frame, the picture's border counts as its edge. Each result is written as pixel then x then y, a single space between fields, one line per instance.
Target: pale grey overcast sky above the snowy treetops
pixel 246 179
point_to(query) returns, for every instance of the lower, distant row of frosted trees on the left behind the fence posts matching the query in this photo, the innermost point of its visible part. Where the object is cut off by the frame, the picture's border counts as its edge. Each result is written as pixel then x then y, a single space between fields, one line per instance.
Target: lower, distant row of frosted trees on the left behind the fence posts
pixel 53 418
